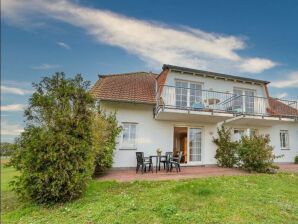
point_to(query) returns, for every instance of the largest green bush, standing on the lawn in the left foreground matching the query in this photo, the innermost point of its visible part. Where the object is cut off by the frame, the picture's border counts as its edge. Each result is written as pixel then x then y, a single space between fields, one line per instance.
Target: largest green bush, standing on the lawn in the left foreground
pixel 54 154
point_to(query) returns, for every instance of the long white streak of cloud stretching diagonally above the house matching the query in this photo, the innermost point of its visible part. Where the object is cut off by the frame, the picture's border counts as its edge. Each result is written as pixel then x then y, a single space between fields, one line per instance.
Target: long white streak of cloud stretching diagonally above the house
pixel 153 42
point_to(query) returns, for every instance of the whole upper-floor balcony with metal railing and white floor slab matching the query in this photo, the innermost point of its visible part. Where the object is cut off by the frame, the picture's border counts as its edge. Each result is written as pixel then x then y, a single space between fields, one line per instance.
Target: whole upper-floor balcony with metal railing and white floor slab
pixel 188 104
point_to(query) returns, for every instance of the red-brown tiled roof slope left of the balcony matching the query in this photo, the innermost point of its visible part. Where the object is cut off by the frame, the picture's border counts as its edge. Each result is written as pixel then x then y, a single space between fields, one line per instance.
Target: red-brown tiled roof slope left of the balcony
pixel 138 87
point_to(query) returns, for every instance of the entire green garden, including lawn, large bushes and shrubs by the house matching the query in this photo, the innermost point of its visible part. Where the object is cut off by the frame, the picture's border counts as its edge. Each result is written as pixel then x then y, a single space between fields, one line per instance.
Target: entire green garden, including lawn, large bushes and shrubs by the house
pixel 68 141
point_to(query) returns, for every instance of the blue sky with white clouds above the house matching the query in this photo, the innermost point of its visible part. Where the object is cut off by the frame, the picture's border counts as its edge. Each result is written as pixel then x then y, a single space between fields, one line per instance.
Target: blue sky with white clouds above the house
pixel 256 39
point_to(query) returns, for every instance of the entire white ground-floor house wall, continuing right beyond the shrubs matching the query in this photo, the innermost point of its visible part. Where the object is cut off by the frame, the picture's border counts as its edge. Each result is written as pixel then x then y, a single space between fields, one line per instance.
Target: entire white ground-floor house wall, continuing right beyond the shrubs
pixel 153 134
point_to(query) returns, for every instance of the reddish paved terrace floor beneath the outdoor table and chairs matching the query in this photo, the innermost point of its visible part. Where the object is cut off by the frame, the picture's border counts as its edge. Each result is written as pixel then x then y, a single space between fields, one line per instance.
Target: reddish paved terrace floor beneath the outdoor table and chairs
pixel 125 175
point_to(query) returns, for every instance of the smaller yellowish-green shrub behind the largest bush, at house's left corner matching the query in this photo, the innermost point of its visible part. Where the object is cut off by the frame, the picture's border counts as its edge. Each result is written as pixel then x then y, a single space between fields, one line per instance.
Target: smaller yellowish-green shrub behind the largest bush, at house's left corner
pixel 105 130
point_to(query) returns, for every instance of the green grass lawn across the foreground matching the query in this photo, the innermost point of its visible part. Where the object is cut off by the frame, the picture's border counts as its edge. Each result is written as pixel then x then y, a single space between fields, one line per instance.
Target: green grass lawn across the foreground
pixel 238 199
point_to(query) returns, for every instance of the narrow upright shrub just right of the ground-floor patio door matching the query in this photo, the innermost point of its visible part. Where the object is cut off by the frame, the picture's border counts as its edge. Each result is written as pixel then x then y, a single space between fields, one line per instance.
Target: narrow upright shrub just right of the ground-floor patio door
pixel 226 152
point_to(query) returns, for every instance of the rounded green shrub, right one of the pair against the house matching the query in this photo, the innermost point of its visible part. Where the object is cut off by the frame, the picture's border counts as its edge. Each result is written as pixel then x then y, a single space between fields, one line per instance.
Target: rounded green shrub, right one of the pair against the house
pixel 256 154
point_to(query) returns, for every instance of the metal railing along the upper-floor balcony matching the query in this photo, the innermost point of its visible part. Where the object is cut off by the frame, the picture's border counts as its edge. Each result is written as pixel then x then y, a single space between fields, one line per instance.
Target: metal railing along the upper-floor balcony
pixel 215 101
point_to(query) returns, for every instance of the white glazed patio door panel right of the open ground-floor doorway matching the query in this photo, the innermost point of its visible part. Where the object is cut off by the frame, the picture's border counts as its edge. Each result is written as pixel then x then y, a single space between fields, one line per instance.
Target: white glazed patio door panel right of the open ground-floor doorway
pixel 194 146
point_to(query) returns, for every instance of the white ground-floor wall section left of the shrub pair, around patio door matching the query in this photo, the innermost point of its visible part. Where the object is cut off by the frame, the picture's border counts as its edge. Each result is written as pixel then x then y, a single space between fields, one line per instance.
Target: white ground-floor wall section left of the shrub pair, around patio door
pixel 153 134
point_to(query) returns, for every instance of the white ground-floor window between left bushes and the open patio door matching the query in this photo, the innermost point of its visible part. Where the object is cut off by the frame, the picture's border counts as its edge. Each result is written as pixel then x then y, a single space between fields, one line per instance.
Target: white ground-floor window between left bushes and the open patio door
pixel 131 143
